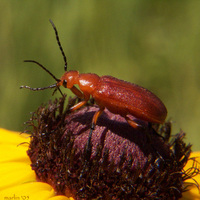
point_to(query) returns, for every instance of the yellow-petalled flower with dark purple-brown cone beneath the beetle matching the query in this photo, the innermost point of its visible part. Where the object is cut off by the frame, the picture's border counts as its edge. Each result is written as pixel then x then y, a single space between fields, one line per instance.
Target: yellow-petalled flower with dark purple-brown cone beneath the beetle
pixel 120 162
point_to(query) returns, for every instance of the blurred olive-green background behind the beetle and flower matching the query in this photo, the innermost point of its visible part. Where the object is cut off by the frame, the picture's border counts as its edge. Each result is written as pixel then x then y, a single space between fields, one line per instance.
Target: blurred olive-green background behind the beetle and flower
pixel 155 44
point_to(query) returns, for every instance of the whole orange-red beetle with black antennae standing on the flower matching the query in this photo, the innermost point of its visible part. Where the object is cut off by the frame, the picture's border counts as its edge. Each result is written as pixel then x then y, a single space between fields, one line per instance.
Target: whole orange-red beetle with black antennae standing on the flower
pixel 118 96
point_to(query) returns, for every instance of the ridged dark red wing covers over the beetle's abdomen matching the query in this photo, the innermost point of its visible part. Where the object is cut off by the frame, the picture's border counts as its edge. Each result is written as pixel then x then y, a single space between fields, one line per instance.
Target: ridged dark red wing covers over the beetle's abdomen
pixel 125 98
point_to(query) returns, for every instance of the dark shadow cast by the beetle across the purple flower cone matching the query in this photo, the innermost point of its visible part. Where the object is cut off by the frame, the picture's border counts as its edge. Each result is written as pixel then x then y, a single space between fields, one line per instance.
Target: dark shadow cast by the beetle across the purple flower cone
pixel 145 138
